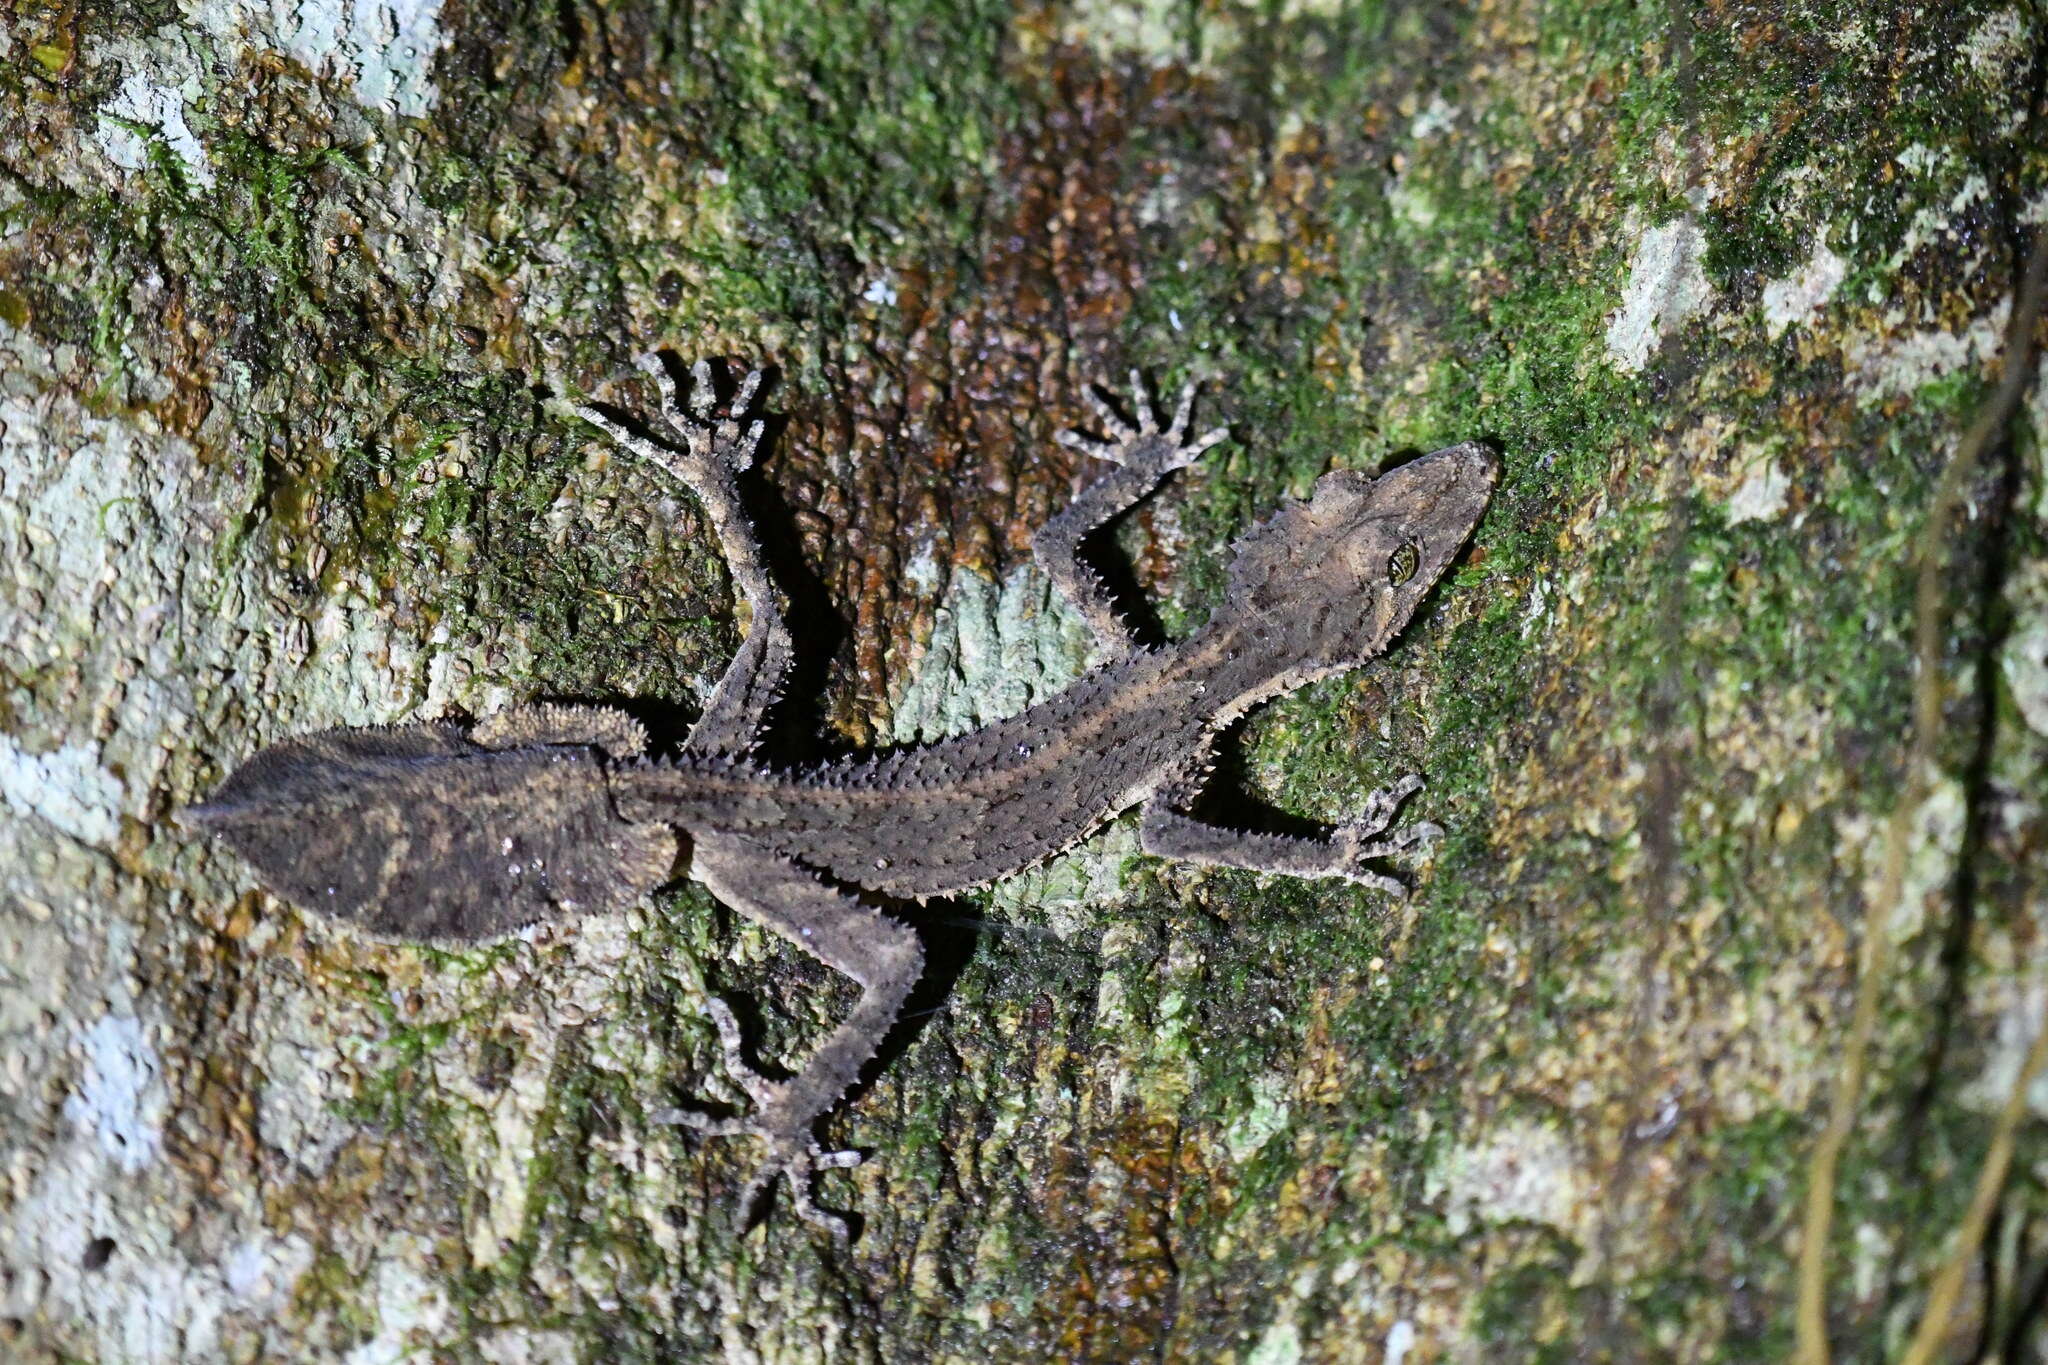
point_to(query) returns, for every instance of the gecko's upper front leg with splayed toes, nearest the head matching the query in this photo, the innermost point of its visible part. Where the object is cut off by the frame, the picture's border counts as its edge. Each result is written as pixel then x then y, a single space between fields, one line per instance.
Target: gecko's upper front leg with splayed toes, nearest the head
pixel 1146 457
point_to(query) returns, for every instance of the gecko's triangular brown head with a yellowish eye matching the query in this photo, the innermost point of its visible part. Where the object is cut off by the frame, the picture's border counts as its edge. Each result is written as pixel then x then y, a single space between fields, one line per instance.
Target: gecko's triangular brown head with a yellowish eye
pixel 1345 570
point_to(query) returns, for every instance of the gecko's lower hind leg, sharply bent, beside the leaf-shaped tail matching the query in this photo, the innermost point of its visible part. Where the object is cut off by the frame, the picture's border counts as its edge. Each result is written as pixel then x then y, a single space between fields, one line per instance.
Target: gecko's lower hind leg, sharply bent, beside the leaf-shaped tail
pixel 880 955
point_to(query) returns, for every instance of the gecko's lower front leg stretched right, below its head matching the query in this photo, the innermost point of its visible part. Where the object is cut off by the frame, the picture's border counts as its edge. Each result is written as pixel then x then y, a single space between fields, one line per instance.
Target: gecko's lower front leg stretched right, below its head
pixel 1166 832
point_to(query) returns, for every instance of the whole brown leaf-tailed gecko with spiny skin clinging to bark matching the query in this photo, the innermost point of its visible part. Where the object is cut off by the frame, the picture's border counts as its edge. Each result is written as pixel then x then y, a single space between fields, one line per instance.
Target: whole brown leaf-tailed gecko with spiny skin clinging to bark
pixel 544 811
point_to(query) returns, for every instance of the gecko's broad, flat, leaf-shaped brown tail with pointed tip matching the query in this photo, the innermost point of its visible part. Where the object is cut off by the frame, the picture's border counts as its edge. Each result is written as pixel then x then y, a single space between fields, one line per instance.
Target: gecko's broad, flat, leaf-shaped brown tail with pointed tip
pixel 419 832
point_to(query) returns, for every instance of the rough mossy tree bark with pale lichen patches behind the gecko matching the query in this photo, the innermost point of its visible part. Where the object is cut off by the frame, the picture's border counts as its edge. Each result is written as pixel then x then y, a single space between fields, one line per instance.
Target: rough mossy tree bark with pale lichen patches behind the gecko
pixel 286 292
